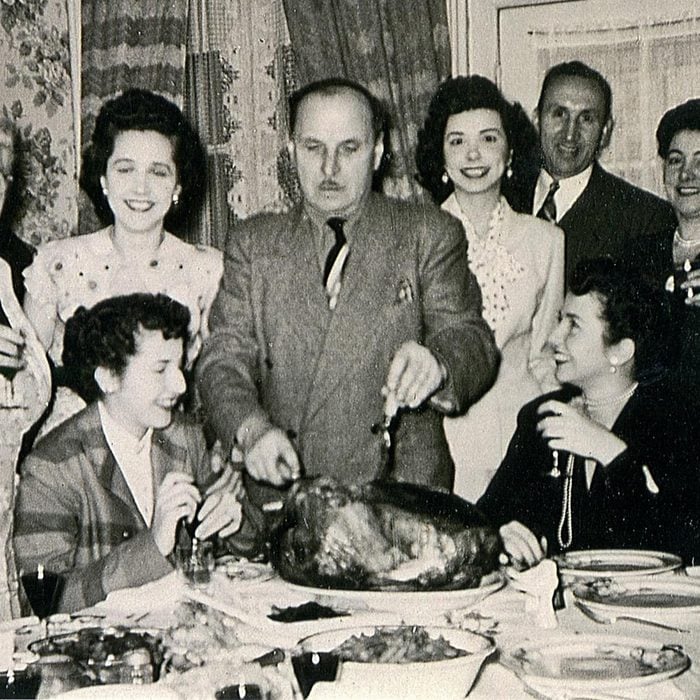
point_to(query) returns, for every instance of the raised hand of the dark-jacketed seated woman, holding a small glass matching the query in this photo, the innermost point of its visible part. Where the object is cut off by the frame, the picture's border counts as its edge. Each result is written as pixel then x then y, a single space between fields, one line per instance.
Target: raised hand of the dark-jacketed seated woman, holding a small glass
pixel 565 428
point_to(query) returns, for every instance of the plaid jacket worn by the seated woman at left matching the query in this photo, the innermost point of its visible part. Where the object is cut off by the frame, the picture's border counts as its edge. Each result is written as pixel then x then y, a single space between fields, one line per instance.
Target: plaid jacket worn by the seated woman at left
pixel 75 513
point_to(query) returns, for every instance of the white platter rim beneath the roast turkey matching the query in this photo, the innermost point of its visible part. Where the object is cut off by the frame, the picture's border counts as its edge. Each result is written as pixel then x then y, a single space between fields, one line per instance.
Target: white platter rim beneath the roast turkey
pixel 412 602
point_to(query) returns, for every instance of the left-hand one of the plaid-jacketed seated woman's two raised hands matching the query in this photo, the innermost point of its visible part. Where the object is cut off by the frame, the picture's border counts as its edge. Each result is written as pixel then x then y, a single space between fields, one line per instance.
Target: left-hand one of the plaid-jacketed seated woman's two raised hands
pixel 177 497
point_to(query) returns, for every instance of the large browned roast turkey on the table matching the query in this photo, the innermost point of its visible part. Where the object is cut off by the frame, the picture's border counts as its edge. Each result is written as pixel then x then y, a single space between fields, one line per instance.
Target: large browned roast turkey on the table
pixel 381 536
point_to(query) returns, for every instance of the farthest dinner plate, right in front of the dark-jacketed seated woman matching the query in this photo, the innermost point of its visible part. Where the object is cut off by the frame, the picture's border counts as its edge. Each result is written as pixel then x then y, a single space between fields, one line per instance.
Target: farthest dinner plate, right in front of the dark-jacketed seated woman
pixel 615 563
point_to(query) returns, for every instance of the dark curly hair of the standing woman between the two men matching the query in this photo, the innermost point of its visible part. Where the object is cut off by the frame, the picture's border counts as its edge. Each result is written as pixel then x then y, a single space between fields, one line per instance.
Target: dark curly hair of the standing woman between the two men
pixel 462 94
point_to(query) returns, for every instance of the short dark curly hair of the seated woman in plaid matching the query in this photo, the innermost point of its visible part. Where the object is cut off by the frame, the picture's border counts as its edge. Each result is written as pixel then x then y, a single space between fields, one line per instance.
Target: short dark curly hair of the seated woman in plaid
pixel 106 335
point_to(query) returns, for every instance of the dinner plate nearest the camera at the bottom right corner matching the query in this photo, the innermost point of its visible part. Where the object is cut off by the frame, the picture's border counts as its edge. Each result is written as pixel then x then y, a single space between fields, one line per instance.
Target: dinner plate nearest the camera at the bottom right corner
pixel 594 663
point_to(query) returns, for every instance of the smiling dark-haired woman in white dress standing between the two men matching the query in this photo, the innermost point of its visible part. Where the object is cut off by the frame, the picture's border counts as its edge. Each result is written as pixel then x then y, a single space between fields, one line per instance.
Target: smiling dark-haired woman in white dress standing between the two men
pixel 470 141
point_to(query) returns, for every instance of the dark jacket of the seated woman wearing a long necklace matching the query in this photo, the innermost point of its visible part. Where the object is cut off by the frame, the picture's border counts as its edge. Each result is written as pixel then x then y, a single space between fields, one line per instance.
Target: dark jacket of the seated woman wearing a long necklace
pixel 619 510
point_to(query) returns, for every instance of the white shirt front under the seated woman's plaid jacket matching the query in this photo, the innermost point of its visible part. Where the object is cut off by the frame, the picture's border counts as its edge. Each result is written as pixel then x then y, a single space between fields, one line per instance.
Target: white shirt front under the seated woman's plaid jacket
pixel 133 456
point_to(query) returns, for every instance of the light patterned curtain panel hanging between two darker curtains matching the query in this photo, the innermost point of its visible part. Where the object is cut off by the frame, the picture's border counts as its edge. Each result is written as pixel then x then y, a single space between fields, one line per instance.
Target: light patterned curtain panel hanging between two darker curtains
pixel 238 77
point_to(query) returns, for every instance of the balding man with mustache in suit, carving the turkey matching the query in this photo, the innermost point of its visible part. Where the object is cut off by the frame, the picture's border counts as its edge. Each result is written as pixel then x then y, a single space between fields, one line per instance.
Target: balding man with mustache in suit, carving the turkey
pixel 300 364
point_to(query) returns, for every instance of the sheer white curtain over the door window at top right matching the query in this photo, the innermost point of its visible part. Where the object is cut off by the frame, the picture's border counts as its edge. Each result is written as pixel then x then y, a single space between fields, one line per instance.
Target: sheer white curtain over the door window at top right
pixel 651 67
